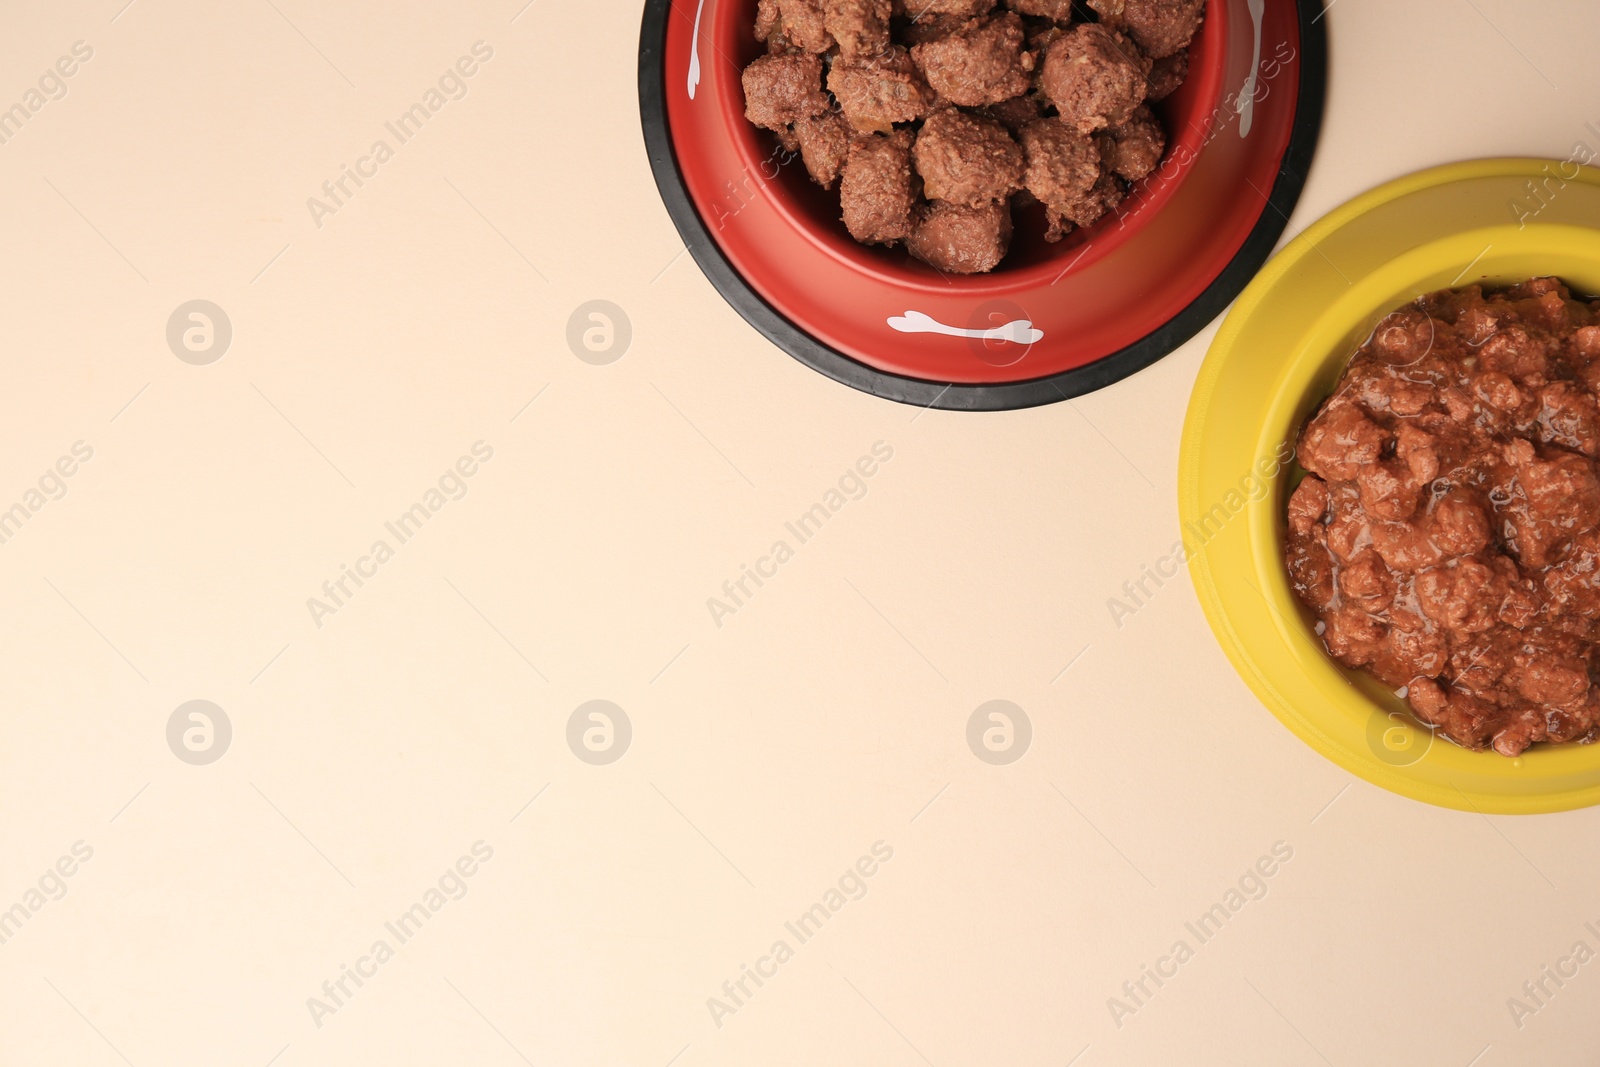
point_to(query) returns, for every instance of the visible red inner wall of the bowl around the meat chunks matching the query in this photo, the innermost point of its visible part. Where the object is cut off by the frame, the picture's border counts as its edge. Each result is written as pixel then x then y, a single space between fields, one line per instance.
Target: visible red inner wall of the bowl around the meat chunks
pixel 1188 118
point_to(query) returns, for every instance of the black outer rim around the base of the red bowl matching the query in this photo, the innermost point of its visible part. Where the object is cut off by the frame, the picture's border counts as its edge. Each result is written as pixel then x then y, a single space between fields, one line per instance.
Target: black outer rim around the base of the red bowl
pixel 1255 252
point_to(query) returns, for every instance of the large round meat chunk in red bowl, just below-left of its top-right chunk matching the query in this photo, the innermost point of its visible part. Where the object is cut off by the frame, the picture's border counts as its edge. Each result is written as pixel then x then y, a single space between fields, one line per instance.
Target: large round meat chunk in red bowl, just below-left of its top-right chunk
pixel 1095 78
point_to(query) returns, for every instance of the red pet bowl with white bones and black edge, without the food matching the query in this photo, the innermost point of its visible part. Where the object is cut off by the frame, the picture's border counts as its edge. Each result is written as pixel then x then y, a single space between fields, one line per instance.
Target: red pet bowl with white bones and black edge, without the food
pixel 1052 321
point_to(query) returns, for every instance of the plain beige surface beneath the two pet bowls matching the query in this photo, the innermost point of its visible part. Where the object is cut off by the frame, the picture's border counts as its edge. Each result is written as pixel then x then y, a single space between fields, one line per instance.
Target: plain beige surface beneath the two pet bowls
pixel 769 754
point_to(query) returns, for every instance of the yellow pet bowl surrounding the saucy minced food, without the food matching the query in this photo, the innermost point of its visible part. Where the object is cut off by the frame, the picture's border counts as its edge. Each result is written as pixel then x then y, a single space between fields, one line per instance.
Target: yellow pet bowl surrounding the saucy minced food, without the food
pixel 1279 354
